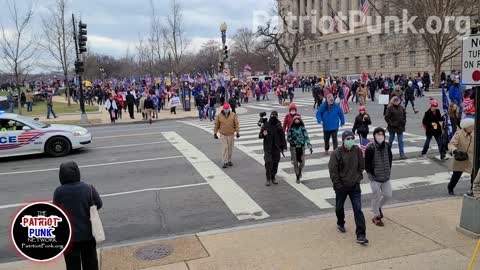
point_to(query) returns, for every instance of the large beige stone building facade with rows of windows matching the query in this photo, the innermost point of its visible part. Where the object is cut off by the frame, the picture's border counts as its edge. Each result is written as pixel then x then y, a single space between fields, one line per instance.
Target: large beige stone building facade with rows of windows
pixel 342 54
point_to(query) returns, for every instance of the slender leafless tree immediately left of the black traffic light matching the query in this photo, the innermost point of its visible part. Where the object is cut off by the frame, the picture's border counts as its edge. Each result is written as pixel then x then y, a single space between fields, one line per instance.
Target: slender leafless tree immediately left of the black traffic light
pixel 58 40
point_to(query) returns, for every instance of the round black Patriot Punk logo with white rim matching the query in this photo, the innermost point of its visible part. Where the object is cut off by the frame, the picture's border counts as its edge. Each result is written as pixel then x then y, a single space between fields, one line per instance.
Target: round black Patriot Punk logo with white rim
pixel 41 232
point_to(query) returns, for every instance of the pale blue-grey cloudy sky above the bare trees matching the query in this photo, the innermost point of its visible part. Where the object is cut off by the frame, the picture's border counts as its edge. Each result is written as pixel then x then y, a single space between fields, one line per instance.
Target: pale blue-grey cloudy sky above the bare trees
pixel 115 25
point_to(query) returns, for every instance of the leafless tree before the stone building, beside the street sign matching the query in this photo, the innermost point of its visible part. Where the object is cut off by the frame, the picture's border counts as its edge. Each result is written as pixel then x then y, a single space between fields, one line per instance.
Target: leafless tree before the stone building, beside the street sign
pixel 438 43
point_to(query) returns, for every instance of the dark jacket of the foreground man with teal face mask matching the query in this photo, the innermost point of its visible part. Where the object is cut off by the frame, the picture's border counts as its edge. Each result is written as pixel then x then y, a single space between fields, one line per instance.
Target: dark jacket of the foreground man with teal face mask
pixel 346 167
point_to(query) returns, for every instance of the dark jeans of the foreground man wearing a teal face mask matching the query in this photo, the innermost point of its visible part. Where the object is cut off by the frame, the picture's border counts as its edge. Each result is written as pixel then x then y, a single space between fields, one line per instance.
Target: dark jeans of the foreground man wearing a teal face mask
pixel 355 194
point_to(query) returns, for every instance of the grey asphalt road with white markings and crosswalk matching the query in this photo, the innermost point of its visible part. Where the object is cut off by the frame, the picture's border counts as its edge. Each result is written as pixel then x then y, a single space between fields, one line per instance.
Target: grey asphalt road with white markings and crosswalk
pixel 166 179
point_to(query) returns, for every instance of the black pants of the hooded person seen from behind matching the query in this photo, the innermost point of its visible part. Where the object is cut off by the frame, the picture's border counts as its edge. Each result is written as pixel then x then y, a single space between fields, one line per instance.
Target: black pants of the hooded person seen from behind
pixel 82 255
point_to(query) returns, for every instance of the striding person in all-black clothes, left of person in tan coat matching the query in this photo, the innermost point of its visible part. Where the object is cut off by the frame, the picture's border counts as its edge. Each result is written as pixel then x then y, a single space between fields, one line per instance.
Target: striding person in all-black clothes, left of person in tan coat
pixel 432 123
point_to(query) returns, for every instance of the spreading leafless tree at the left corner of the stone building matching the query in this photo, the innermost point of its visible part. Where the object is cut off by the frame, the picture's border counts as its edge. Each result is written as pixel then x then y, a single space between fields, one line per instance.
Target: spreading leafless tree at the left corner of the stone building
pixel 287 43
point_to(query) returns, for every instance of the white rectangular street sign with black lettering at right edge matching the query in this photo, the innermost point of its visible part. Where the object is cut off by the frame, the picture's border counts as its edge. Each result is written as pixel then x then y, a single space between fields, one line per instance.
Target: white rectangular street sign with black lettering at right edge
pixel 471 60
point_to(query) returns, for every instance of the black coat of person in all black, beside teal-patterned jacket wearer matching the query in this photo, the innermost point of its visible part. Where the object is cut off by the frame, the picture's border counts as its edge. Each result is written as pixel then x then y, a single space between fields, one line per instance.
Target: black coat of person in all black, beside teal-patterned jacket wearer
pixel 274 141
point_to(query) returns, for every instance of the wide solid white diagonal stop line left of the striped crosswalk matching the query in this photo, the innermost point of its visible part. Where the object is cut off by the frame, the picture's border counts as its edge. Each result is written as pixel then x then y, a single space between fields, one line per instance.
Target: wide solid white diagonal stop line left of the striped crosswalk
pixel 236 199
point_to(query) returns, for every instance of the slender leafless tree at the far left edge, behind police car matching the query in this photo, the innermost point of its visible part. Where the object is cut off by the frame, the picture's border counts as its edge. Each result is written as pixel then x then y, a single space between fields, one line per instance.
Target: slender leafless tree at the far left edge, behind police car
pixel 18 49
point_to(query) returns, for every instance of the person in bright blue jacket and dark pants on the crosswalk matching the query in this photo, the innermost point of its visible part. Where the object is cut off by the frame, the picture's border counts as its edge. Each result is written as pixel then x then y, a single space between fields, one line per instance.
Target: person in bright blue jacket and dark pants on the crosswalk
pixel 331 116
